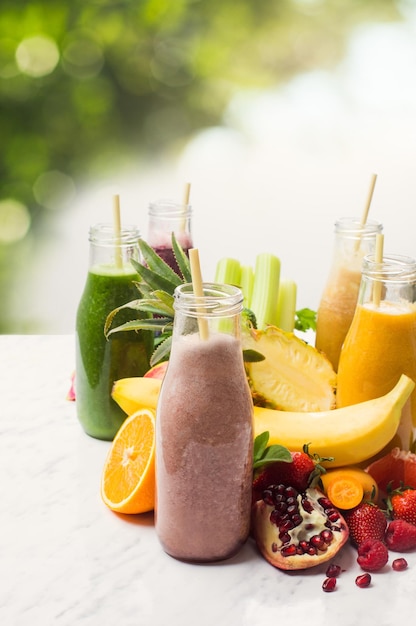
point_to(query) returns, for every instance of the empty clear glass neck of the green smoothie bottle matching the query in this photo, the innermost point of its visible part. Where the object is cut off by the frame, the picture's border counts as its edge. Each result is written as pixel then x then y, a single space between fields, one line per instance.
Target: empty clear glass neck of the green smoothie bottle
pixel 111 250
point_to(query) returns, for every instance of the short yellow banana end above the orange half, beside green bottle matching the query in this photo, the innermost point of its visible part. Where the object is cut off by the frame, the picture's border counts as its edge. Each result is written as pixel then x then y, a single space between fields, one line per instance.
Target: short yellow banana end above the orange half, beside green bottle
pixel 133 394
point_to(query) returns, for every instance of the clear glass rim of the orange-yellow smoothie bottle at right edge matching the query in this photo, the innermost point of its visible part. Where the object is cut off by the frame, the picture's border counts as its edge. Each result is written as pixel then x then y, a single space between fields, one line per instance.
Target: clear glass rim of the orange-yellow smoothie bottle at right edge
pixel 394 267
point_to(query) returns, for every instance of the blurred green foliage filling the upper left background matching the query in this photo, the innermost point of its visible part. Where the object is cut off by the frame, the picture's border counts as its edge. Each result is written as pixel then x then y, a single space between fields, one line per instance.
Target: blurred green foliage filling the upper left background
pixel 87 86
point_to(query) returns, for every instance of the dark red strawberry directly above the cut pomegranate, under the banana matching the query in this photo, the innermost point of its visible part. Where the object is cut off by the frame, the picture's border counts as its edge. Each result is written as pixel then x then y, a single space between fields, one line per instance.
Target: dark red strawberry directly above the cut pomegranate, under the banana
pixel 300 473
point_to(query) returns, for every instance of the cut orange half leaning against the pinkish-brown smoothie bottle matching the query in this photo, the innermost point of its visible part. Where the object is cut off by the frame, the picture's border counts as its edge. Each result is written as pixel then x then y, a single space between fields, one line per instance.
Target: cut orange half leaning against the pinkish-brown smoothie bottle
pixel 128 478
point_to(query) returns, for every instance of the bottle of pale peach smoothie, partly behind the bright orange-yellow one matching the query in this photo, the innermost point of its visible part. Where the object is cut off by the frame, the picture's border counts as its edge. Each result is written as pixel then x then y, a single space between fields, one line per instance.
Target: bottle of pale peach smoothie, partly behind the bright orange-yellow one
pixel 353 240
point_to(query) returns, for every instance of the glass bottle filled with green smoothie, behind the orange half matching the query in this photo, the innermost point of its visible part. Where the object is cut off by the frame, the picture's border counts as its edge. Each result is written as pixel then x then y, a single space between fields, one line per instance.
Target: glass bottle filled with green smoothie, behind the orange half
pixel 101 361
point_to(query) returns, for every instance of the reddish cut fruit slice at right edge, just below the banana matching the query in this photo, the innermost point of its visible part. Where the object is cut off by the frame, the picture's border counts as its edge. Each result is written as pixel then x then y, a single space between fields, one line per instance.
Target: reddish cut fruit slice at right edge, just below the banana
pixel 395 467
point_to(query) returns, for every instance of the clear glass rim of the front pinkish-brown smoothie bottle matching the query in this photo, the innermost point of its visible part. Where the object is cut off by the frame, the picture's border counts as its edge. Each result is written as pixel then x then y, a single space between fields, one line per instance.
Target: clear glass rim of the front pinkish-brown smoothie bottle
pixel 219 300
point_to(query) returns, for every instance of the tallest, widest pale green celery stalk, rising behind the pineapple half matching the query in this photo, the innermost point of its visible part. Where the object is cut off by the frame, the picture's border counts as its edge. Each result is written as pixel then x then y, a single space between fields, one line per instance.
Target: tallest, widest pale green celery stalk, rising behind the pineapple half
pixel 265 289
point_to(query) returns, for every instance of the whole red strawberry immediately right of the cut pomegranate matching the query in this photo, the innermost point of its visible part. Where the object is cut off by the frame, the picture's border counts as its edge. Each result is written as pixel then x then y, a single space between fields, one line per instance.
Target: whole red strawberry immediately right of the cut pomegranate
pixel 366 521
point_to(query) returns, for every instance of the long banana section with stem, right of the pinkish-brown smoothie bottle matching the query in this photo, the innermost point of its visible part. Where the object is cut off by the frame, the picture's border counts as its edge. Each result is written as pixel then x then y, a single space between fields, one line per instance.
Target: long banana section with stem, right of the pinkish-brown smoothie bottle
pixel 349 434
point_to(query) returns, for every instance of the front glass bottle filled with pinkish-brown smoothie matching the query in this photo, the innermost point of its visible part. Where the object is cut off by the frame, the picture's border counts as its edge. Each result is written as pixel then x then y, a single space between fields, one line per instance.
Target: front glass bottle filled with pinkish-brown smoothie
pixel 204 431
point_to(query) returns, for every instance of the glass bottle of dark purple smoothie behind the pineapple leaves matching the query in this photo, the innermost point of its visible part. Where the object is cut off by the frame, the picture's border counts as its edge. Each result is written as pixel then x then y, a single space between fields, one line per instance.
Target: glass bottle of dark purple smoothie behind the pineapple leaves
pixel 167 217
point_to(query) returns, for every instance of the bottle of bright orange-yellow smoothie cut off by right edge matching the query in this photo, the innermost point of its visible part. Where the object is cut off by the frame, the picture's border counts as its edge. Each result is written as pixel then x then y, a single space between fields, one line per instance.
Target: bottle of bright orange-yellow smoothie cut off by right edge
pixel 381 342
